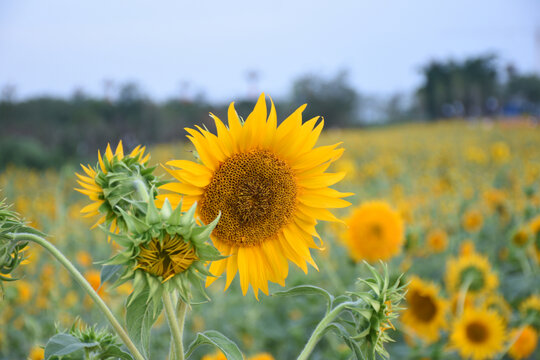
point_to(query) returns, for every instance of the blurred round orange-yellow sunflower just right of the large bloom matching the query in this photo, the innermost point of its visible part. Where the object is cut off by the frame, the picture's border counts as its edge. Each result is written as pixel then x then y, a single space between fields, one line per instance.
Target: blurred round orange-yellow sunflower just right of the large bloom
pixel 375 231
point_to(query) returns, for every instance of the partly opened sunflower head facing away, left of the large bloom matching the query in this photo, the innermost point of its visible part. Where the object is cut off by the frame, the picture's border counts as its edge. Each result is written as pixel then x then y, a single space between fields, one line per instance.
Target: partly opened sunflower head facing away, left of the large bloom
pixel 115 183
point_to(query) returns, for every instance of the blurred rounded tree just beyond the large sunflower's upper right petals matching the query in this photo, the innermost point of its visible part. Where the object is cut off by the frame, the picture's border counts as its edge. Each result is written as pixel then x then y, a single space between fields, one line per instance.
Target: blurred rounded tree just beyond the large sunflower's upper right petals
pixel 334 99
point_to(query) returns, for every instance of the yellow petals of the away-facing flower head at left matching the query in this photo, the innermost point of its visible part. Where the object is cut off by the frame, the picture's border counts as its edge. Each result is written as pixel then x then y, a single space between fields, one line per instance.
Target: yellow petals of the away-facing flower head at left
pixel 94 191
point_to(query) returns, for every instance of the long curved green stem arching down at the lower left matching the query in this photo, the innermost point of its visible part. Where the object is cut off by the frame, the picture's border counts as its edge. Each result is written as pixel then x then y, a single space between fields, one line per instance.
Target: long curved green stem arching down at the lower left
pixel 85 285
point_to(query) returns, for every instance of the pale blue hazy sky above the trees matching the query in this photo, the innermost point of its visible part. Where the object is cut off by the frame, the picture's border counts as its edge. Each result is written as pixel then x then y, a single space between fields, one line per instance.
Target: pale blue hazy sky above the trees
pixel 181 48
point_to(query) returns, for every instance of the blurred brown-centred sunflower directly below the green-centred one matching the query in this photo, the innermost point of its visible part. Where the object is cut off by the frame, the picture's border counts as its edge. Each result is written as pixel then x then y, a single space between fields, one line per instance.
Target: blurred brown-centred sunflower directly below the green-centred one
pixel 478 334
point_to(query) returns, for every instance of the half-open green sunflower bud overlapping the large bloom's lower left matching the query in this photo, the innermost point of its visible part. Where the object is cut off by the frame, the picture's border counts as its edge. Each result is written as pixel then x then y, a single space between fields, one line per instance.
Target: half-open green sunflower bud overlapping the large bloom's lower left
pixel 165 250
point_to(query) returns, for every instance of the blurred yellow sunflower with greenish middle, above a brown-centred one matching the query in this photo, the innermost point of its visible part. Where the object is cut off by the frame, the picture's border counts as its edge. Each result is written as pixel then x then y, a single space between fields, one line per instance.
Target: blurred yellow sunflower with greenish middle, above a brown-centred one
pixel 471 270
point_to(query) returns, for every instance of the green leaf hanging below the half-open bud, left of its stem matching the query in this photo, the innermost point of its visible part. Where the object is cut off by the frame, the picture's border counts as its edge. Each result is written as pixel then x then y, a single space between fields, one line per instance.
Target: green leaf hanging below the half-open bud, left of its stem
pixel 140 316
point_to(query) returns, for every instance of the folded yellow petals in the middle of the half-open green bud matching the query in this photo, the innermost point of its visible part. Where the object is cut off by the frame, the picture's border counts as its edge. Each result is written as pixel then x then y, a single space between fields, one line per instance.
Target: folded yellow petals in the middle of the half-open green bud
pixel 167 257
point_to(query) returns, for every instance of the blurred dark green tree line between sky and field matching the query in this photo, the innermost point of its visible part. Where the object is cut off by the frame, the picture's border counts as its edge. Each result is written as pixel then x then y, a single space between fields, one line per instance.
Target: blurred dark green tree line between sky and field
pixel 46 132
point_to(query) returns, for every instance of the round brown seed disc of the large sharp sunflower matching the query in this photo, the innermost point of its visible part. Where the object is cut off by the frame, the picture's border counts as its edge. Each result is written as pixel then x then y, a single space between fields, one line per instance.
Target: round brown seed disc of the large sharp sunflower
pixel 256 194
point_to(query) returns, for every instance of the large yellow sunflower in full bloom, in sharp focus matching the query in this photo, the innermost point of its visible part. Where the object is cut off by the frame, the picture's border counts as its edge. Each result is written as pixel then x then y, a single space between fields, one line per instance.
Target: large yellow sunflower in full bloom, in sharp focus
pixel 270 185
